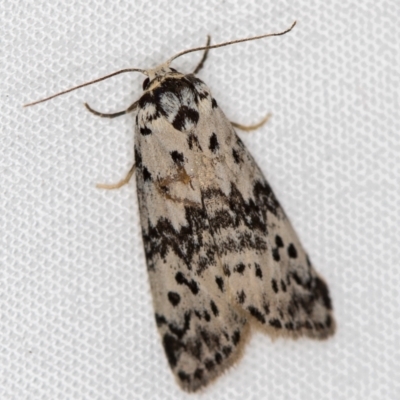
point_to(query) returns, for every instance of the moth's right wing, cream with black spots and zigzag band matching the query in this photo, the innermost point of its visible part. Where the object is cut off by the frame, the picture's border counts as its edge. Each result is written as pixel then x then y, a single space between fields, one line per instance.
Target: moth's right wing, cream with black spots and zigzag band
pixel 270 275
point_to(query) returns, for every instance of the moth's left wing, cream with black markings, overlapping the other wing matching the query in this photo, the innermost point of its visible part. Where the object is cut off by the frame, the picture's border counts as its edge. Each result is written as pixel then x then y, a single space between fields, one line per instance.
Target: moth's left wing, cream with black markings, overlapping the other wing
pixel 201 331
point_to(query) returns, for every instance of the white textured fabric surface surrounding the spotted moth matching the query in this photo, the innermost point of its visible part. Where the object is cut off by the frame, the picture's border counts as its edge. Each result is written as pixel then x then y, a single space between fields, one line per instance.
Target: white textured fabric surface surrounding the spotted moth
pixel 75 305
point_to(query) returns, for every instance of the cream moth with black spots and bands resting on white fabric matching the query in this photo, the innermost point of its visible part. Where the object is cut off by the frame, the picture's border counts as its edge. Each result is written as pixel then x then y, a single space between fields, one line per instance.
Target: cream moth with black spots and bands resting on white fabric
pixel 221 254
